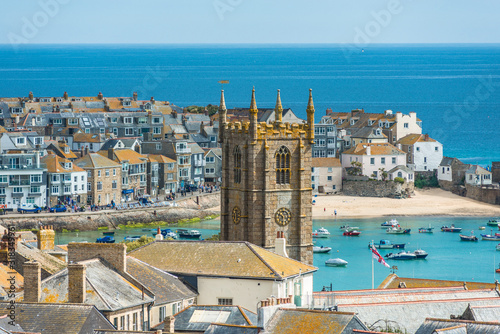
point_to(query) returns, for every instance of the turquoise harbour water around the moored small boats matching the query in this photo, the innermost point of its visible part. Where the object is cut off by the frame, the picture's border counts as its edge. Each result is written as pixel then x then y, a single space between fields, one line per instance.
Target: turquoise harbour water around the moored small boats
pixel 449 258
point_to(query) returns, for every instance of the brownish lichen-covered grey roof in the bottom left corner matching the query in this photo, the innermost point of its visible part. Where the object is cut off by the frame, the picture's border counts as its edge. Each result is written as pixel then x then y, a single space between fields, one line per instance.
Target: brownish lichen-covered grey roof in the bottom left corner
pixel 57 318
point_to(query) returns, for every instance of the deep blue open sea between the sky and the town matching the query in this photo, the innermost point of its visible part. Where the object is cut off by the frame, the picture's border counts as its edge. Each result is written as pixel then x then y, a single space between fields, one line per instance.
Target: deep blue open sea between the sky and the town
pixel 455 89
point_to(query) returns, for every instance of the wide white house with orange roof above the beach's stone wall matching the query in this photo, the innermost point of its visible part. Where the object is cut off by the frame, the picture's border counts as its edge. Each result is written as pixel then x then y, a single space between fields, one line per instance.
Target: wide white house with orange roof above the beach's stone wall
pixel 374 158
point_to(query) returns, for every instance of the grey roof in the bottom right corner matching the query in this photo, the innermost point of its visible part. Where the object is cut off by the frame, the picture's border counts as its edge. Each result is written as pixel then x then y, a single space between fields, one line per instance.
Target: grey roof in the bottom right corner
pixel 430 325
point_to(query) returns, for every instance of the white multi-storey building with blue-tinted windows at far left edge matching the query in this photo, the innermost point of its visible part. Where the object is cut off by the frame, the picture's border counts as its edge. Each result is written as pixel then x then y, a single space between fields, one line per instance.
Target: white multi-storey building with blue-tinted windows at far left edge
pixel 22 180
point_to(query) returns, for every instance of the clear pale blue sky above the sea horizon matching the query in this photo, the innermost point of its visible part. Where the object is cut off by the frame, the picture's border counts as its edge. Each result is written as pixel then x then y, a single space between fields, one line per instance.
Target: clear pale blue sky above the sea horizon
pixel 250 21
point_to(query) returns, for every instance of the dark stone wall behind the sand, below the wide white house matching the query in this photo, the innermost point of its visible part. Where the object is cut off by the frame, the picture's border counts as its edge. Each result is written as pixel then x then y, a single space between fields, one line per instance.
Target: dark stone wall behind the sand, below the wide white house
pixel 375 188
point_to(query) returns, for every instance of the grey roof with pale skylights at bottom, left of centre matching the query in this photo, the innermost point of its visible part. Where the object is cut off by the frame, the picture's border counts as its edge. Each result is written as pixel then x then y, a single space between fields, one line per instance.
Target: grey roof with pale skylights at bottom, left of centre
pixel 230 315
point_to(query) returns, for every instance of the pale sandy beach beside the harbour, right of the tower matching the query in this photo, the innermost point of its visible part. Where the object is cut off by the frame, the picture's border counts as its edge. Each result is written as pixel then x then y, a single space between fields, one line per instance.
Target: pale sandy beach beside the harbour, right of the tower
pixel 431 202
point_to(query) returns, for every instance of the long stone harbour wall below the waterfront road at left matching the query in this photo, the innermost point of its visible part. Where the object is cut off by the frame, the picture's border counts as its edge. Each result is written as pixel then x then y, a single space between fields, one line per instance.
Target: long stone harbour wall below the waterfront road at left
pixel 189 208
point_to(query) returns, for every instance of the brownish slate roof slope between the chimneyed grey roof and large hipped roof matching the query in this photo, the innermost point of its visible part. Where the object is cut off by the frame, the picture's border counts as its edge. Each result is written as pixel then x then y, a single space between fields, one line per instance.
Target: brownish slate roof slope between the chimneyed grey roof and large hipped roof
pixel 167 288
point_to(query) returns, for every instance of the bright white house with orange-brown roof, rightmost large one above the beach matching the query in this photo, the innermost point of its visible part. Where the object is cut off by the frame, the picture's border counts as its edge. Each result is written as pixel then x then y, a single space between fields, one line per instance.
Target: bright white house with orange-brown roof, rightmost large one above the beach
pixel 423 152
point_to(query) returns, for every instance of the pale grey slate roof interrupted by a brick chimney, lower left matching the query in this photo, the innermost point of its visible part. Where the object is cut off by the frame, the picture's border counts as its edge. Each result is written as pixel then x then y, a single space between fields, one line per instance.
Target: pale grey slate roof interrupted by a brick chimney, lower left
pixel 107 289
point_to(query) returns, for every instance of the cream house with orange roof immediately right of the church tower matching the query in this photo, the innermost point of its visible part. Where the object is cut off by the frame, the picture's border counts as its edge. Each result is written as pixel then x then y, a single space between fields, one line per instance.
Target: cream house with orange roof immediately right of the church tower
pixel 326 175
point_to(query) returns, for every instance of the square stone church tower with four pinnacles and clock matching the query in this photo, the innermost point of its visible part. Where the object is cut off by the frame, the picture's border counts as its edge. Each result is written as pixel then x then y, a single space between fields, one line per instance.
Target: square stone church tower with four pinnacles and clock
pixel 266 180
